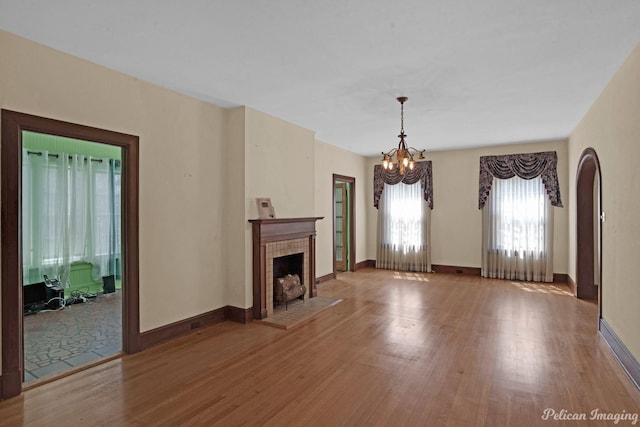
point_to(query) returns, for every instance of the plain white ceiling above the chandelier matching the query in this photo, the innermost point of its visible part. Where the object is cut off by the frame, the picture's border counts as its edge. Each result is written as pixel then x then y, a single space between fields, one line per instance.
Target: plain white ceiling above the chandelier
pixel 476 72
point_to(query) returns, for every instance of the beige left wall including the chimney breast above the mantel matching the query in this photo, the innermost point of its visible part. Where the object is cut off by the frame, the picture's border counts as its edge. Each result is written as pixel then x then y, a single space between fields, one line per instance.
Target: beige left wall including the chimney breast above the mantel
pixel 191 259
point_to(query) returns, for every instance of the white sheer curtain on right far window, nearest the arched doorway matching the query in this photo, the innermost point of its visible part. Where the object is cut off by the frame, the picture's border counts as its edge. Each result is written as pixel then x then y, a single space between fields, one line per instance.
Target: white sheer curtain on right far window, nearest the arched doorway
pixel 517 227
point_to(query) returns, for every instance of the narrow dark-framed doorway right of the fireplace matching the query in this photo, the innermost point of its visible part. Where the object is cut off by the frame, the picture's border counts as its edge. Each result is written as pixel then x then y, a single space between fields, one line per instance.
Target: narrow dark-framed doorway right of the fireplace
pixel 343 223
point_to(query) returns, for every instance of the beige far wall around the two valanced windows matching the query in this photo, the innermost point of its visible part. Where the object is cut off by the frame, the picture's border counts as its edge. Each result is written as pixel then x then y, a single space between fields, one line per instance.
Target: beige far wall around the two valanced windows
pixel 456 221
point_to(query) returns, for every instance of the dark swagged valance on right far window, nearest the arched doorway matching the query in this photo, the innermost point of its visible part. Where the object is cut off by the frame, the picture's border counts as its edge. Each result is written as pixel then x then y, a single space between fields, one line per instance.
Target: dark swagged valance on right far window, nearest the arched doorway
pixel 526 166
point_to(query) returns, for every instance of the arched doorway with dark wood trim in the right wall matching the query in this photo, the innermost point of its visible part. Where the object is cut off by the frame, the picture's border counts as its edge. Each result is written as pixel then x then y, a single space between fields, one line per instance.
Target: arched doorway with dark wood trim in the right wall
pixel 588 228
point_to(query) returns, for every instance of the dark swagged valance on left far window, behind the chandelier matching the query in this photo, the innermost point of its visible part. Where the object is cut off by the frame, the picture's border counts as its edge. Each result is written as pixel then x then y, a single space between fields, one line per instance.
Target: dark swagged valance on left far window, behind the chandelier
pixel 421 172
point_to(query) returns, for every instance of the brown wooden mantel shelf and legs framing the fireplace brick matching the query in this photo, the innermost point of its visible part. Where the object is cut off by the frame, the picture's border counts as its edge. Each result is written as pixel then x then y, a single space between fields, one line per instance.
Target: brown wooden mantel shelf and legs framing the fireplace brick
pixel 267 232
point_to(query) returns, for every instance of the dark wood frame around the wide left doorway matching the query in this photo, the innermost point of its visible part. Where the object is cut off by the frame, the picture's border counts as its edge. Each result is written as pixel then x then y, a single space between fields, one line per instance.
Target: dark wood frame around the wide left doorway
pixel 13 124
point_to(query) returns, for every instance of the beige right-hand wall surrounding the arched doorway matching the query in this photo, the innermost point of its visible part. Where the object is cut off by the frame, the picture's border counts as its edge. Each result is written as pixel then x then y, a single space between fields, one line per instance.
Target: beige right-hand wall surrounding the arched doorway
pixel 612 128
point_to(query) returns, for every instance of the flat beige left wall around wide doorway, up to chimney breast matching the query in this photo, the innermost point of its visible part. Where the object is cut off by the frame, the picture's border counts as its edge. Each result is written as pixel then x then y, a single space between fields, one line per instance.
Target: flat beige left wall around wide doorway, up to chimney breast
pixel 182 164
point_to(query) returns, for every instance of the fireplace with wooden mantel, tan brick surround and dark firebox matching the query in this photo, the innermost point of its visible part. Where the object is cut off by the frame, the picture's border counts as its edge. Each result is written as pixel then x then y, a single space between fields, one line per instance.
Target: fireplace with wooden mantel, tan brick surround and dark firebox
pixel 281 246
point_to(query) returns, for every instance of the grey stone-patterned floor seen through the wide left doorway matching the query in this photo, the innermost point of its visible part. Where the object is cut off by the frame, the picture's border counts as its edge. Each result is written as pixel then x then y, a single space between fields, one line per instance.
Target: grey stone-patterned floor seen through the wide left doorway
pixel 55 341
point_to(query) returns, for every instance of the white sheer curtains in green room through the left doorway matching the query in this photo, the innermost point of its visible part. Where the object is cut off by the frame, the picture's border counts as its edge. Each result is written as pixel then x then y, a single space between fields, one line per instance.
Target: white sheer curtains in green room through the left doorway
pixel 67 215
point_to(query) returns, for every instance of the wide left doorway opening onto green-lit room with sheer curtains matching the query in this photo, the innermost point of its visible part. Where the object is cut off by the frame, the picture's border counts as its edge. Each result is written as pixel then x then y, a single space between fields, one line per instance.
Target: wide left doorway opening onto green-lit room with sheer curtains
pixel 71 240
